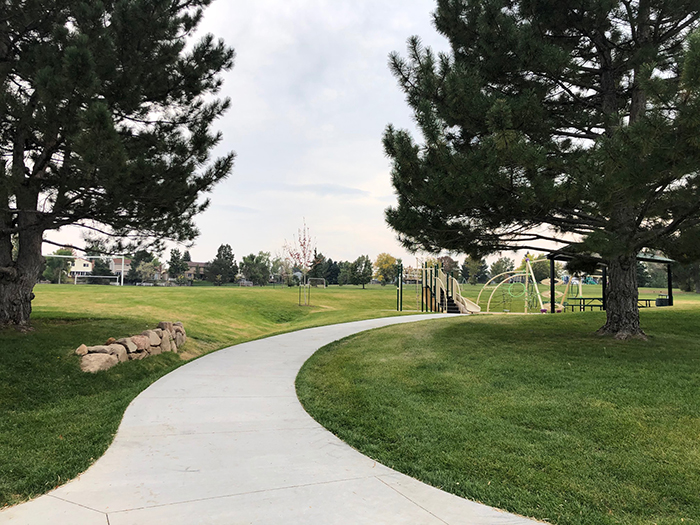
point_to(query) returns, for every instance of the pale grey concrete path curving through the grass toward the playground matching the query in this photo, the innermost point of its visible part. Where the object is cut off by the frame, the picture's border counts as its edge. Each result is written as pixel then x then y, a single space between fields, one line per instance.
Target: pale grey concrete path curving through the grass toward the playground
pixel 224 440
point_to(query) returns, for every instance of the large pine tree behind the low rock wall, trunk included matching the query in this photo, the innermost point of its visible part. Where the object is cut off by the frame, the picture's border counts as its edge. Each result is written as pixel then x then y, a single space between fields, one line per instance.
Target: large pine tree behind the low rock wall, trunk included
pixel 106 115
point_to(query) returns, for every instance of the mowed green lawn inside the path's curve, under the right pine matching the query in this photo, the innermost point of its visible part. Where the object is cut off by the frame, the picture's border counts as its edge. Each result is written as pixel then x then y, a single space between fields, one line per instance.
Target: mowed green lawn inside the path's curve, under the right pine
pixel 532 414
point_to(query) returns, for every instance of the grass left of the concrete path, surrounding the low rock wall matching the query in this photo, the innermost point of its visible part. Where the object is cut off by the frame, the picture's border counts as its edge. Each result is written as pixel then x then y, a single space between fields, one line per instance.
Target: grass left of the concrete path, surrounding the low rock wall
pixel 55 420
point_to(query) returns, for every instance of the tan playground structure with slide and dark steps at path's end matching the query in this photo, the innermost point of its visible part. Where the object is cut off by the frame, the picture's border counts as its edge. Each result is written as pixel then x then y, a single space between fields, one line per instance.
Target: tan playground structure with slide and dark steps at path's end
pixel 436 291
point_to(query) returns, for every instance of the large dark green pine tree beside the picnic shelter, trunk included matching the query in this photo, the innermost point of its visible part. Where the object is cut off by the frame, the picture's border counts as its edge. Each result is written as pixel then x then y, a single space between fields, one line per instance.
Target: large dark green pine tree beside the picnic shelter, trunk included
pixel 550 118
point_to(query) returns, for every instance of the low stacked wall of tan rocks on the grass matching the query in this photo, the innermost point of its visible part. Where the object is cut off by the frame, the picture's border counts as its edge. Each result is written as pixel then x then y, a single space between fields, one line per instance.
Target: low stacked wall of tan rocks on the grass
pixel 168 337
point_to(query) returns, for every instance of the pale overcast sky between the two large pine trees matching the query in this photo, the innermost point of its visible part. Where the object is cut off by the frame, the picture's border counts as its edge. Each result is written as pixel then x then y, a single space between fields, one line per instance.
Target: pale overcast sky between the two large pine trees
pixel 311 96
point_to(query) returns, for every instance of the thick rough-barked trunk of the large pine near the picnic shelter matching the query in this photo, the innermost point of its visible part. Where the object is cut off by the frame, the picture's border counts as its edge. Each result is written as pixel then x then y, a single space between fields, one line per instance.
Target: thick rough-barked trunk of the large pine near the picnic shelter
pixel 621 303
